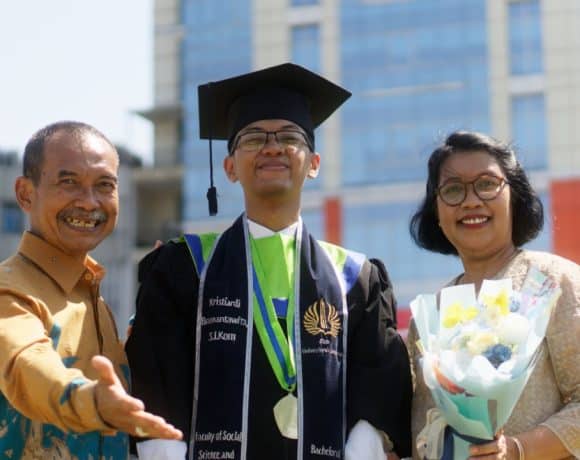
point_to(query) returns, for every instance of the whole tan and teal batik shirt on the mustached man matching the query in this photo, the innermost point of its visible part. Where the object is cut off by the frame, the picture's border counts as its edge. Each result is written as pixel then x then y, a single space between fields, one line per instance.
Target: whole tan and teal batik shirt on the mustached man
pixel 52 321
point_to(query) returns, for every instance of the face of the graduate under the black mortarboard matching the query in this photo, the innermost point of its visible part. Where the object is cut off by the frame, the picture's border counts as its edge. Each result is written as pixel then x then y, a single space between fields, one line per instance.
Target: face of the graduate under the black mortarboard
pixel 274 170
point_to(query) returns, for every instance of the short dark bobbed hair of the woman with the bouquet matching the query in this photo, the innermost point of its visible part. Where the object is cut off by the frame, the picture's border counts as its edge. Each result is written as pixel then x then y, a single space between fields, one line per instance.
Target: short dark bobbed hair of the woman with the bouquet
pixel 527 209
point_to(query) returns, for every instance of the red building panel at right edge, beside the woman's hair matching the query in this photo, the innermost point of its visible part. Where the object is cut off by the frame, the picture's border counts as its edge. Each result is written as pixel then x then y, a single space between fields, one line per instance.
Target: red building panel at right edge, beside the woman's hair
pixel 565 196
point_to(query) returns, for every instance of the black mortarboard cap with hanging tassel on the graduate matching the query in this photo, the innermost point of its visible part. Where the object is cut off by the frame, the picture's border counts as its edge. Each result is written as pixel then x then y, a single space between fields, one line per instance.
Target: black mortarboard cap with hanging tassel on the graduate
pixel 286 91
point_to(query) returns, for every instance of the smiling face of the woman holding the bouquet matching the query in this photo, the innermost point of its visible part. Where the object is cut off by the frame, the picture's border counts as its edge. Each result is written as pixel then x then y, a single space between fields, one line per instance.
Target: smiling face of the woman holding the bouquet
pixel 477 228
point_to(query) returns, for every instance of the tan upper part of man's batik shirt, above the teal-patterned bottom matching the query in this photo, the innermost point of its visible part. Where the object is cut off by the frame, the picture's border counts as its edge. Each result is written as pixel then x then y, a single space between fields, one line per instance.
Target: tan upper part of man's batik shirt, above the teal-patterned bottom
pixel 52 322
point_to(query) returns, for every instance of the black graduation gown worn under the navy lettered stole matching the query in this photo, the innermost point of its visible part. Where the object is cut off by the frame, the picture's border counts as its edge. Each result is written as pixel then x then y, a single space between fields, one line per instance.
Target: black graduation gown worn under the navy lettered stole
pixel 161 350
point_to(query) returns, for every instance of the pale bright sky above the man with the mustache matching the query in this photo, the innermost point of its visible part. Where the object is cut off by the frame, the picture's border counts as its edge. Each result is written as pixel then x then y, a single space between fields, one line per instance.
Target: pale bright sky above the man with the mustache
pixel 84 60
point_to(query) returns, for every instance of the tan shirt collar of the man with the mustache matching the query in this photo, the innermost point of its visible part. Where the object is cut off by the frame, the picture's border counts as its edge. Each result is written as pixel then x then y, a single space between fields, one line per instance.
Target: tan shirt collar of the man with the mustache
pixel 66 271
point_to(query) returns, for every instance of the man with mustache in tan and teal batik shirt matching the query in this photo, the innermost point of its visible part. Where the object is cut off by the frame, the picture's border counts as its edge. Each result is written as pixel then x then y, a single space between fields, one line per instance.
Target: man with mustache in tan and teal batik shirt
pixel 63 371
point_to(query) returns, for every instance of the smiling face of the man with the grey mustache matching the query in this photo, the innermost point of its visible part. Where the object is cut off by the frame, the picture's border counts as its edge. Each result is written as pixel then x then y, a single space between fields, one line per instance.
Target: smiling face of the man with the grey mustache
pixel 75 204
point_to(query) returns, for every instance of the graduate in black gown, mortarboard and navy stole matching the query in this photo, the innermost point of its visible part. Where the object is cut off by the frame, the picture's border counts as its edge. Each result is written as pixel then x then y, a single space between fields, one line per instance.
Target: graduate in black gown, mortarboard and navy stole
pixel 262 342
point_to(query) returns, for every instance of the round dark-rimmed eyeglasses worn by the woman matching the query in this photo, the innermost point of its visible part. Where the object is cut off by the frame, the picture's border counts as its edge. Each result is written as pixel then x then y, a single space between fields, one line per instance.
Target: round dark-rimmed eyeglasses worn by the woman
pixel 486 186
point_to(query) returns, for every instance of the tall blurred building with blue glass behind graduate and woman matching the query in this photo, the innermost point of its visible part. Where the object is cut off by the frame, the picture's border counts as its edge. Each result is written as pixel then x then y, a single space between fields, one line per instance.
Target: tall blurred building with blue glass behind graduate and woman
pixel 418 70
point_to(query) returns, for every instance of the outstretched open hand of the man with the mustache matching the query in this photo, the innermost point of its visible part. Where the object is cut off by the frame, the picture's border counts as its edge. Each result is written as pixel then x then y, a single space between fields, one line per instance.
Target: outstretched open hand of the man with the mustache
pixel 123 412
